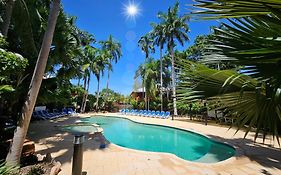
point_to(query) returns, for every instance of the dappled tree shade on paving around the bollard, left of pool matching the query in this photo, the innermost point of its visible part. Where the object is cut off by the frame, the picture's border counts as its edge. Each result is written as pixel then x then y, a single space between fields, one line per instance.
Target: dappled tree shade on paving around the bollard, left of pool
pixel 49 133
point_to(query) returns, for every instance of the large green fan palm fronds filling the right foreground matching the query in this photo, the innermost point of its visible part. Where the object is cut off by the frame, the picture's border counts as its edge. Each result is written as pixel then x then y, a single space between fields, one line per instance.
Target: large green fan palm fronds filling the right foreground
pixel 252 94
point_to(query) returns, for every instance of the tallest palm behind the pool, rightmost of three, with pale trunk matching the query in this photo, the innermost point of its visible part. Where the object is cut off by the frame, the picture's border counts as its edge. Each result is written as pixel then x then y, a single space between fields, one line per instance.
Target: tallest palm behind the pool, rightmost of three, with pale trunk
pixel 176 28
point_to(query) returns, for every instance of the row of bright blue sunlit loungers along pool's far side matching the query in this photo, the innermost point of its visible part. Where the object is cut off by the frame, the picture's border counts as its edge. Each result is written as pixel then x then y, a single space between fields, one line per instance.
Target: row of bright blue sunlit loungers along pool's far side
pixel 146 113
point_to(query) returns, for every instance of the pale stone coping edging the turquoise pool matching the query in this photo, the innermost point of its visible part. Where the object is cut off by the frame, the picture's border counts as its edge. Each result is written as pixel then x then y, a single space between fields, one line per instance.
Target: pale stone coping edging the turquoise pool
pixel 238 151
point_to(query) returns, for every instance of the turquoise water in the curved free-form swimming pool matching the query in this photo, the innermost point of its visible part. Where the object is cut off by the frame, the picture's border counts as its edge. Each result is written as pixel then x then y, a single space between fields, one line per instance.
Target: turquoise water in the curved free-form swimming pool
pixel 184 144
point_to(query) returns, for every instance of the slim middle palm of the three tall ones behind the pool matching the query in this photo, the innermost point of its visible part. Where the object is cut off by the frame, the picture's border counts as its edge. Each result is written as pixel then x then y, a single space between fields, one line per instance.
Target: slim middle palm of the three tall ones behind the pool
pixel 158 34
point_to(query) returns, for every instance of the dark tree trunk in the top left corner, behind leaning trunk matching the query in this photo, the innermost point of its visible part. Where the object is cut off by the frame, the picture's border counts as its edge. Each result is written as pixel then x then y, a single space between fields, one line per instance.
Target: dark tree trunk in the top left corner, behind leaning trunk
pixel 7 17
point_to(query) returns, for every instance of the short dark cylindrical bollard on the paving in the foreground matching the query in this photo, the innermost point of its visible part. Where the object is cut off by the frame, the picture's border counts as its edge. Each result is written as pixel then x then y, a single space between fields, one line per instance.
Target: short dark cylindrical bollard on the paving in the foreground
pixel 77 154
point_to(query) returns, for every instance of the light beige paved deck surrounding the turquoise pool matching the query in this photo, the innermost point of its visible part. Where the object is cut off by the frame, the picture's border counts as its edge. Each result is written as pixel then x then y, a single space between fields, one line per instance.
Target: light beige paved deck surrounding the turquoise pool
pixel 250 159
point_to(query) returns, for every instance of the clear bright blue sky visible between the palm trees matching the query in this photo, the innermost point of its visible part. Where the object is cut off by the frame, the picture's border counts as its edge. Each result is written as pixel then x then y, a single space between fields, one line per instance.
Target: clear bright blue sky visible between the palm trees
pixel 104 17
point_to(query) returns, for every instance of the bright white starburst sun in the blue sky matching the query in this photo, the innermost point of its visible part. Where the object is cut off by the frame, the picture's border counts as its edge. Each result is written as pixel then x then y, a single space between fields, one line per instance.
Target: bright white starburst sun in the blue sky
pixel 131 10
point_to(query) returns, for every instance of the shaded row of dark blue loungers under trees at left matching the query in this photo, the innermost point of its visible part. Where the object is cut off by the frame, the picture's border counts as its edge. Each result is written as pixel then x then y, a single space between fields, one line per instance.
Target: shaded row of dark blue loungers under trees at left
pixel 45 115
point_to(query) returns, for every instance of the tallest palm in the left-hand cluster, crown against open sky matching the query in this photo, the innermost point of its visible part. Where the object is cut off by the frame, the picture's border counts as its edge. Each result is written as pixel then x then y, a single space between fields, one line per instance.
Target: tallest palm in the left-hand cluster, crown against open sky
pixel 114 47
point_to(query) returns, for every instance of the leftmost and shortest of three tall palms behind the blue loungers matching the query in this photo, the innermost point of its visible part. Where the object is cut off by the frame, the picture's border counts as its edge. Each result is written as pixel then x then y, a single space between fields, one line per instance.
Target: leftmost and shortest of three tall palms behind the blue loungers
pixel 146 45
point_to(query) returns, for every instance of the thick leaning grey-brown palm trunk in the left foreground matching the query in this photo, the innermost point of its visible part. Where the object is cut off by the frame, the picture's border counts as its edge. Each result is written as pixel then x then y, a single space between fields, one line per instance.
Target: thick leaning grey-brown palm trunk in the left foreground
pixel 14 154
